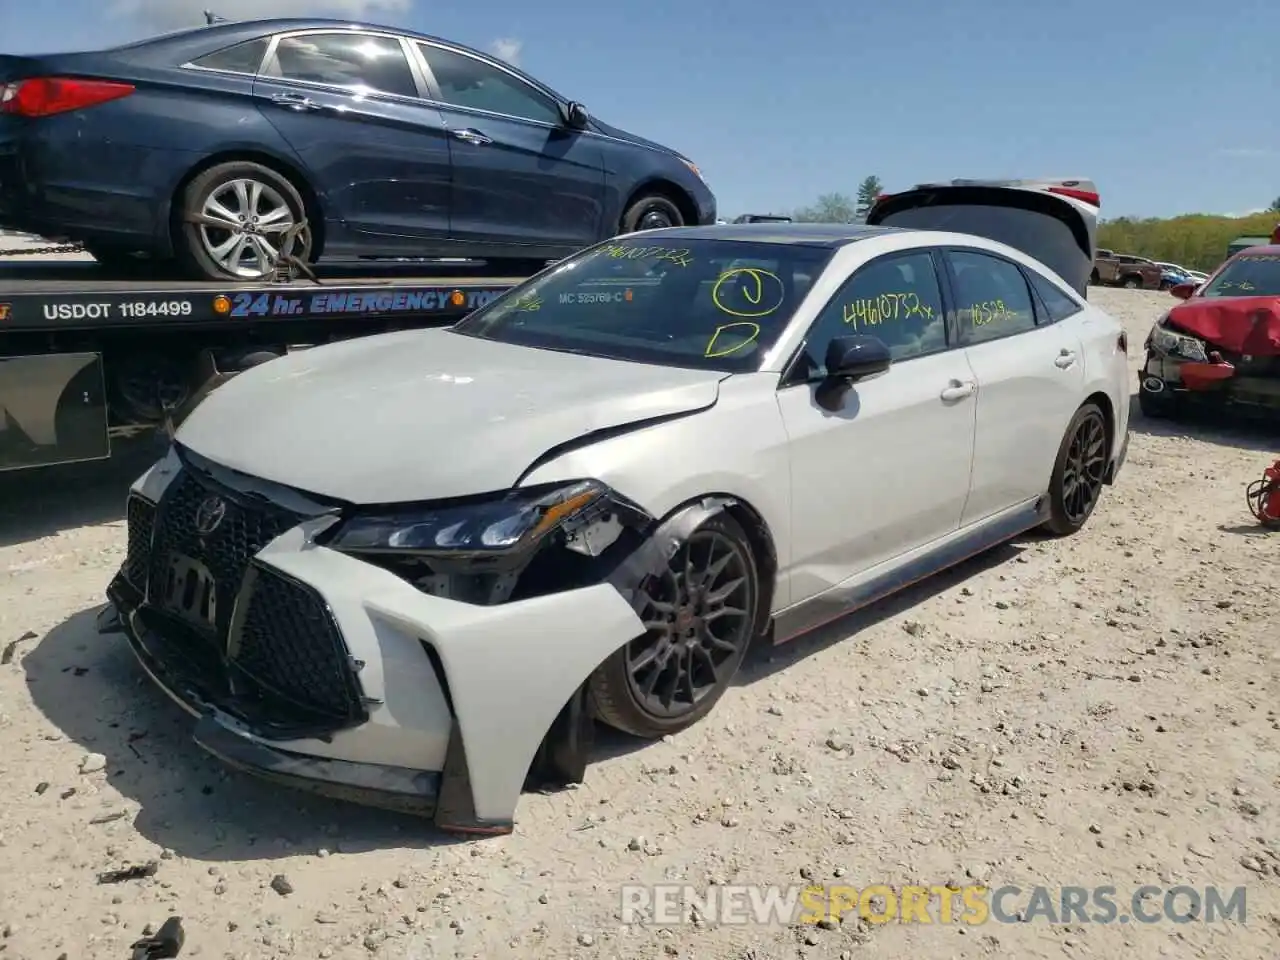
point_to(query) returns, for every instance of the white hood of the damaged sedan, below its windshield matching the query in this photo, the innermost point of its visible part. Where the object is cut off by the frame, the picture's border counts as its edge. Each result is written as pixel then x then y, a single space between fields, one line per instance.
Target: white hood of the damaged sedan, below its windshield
pixel 426 415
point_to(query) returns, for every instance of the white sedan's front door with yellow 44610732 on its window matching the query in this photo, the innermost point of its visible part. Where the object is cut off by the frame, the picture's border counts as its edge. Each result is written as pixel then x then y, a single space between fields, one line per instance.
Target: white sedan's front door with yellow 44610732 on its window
pixel 889 470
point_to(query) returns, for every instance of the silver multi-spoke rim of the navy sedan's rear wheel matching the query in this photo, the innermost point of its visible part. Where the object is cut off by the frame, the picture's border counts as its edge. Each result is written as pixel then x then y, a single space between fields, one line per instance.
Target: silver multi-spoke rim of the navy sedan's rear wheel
pixel 244 225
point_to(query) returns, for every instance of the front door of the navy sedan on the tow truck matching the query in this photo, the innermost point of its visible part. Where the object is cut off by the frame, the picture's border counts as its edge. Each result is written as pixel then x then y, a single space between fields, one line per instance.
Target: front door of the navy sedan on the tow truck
pixel 520 176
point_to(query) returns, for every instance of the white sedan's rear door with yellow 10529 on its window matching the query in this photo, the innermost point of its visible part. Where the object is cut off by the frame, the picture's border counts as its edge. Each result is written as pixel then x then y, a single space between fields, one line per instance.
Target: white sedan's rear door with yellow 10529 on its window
pixel 1031 380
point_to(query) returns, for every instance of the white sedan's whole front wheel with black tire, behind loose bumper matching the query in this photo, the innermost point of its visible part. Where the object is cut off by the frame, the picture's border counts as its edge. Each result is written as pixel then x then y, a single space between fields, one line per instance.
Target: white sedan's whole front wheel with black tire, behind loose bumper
pixel 616 689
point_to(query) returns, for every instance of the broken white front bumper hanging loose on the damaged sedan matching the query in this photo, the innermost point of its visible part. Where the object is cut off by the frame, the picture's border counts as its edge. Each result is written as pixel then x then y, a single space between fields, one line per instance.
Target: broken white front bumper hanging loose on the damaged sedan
pixel 450 702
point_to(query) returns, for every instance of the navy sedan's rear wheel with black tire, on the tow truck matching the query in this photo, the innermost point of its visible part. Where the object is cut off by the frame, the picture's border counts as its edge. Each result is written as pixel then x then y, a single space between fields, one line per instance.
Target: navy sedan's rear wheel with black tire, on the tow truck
pixel 223 185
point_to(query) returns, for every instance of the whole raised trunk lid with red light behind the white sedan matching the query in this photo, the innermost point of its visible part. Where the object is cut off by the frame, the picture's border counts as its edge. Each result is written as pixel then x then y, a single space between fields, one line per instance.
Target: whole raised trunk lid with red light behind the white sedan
pixel 1052 221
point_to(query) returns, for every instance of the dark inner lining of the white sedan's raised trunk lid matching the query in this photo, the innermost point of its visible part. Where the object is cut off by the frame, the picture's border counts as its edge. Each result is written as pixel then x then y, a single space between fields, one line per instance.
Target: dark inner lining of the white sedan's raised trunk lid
pixel 1048 237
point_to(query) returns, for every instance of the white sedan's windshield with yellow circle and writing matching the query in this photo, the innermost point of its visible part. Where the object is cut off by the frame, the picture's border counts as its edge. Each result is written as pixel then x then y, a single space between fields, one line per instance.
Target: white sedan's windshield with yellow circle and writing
pixel 712 305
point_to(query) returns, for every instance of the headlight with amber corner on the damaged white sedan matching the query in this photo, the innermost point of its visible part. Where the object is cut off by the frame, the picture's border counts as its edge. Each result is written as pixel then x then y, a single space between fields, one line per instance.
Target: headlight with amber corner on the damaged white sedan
pixel 502 525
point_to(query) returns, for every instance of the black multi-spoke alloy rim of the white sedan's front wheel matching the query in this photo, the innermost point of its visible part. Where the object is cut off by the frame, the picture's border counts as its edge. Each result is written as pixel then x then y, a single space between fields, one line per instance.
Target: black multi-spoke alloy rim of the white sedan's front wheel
pixel 698 618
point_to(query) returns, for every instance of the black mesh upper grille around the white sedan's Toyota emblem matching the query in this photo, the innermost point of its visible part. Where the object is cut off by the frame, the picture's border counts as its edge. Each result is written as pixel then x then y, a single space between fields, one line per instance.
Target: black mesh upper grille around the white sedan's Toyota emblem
pixel 248 527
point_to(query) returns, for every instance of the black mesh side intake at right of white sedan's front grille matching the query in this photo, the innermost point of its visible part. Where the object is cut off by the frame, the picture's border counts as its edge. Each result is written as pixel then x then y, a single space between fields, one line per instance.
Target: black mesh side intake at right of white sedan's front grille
pixel 290 644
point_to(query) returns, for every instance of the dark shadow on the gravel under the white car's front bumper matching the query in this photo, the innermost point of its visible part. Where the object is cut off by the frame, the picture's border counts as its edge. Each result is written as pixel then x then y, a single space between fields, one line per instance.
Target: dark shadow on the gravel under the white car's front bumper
pixel 92 689
